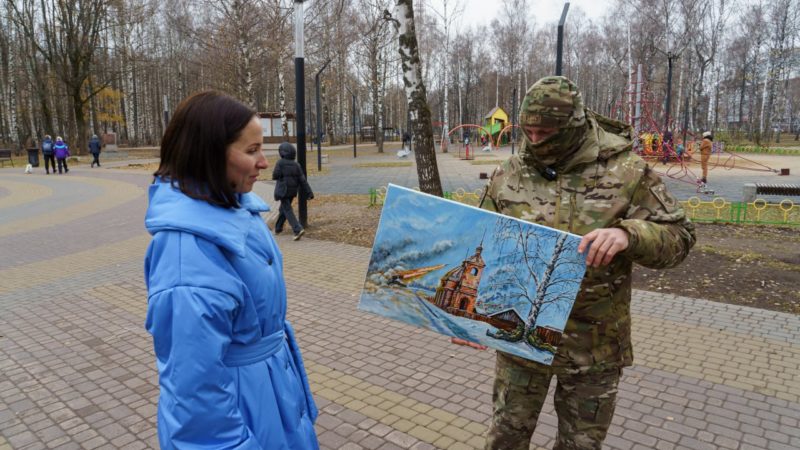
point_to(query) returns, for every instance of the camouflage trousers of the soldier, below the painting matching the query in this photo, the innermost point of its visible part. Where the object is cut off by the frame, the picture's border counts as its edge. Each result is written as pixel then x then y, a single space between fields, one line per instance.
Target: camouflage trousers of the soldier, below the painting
pixel 584 402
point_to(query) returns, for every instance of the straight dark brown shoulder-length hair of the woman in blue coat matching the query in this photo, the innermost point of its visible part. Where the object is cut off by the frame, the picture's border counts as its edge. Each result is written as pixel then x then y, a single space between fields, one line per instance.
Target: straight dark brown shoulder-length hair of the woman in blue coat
pixel 194 146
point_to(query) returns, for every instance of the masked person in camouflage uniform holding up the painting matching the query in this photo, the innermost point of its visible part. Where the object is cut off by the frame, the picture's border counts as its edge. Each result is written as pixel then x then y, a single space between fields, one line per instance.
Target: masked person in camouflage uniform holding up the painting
pixel 576 173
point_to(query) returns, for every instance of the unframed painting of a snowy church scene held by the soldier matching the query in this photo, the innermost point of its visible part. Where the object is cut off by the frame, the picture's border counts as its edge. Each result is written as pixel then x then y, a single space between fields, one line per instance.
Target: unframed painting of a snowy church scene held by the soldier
pixel 472 274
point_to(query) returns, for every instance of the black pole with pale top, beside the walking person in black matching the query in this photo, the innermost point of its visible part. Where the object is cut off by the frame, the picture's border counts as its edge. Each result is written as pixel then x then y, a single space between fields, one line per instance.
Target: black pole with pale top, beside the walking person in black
pixel 300 101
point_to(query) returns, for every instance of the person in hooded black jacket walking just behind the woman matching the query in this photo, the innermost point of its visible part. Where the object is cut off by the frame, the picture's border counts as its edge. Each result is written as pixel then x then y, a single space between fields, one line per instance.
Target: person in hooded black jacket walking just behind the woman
pixel 290 183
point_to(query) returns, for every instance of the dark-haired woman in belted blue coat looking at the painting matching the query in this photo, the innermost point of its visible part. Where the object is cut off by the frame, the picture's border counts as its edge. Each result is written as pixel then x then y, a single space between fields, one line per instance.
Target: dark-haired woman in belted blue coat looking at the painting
pixel 230 371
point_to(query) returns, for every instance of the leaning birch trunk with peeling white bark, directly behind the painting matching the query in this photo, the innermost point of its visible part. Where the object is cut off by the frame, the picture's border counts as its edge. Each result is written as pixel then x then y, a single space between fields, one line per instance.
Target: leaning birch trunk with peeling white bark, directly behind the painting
pixel 419 112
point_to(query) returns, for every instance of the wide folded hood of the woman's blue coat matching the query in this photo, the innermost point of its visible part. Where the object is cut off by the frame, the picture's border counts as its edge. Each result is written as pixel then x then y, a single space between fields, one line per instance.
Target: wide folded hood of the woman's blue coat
pixel 172 210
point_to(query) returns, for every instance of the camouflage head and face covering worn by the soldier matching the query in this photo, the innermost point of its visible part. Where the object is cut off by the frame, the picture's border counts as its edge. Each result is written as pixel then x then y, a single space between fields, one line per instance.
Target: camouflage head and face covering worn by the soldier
pixel 553 102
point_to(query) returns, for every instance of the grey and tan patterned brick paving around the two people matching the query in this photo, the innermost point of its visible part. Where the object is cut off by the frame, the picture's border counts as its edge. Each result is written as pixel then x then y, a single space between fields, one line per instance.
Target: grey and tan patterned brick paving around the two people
pixel 77 369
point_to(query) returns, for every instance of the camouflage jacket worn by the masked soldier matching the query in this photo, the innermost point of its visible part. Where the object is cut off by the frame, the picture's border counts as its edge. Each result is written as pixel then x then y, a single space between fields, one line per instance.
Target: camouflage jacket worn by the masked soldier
pixel 603 185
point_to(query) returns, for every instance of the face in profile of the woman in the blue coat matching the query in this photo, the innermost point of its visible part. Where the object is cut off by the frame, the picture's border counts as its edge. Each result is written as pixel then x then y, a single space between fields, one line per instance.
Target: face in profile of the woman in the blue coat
pixel 245 159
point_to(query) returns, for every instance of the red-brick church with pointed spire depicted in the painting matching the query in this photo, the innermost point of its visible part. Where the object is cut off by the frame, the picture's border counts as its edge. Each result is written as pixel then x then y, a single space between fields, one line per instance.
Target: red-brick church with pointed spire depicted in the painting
pixel 458 288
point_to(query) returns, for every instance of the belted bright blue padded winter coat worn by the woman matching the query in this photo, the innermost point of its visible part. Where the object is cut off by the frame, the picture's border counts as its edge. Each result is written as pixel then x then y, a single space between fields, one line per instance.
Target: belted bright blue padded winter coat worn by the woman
pixel 230 371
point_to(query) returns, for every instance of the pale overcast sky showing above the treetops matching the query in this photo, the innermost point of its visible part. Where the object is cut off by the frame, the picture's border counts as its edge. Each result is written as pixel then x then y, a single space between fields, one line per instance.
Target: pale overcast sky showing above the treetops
pixel 481 12
